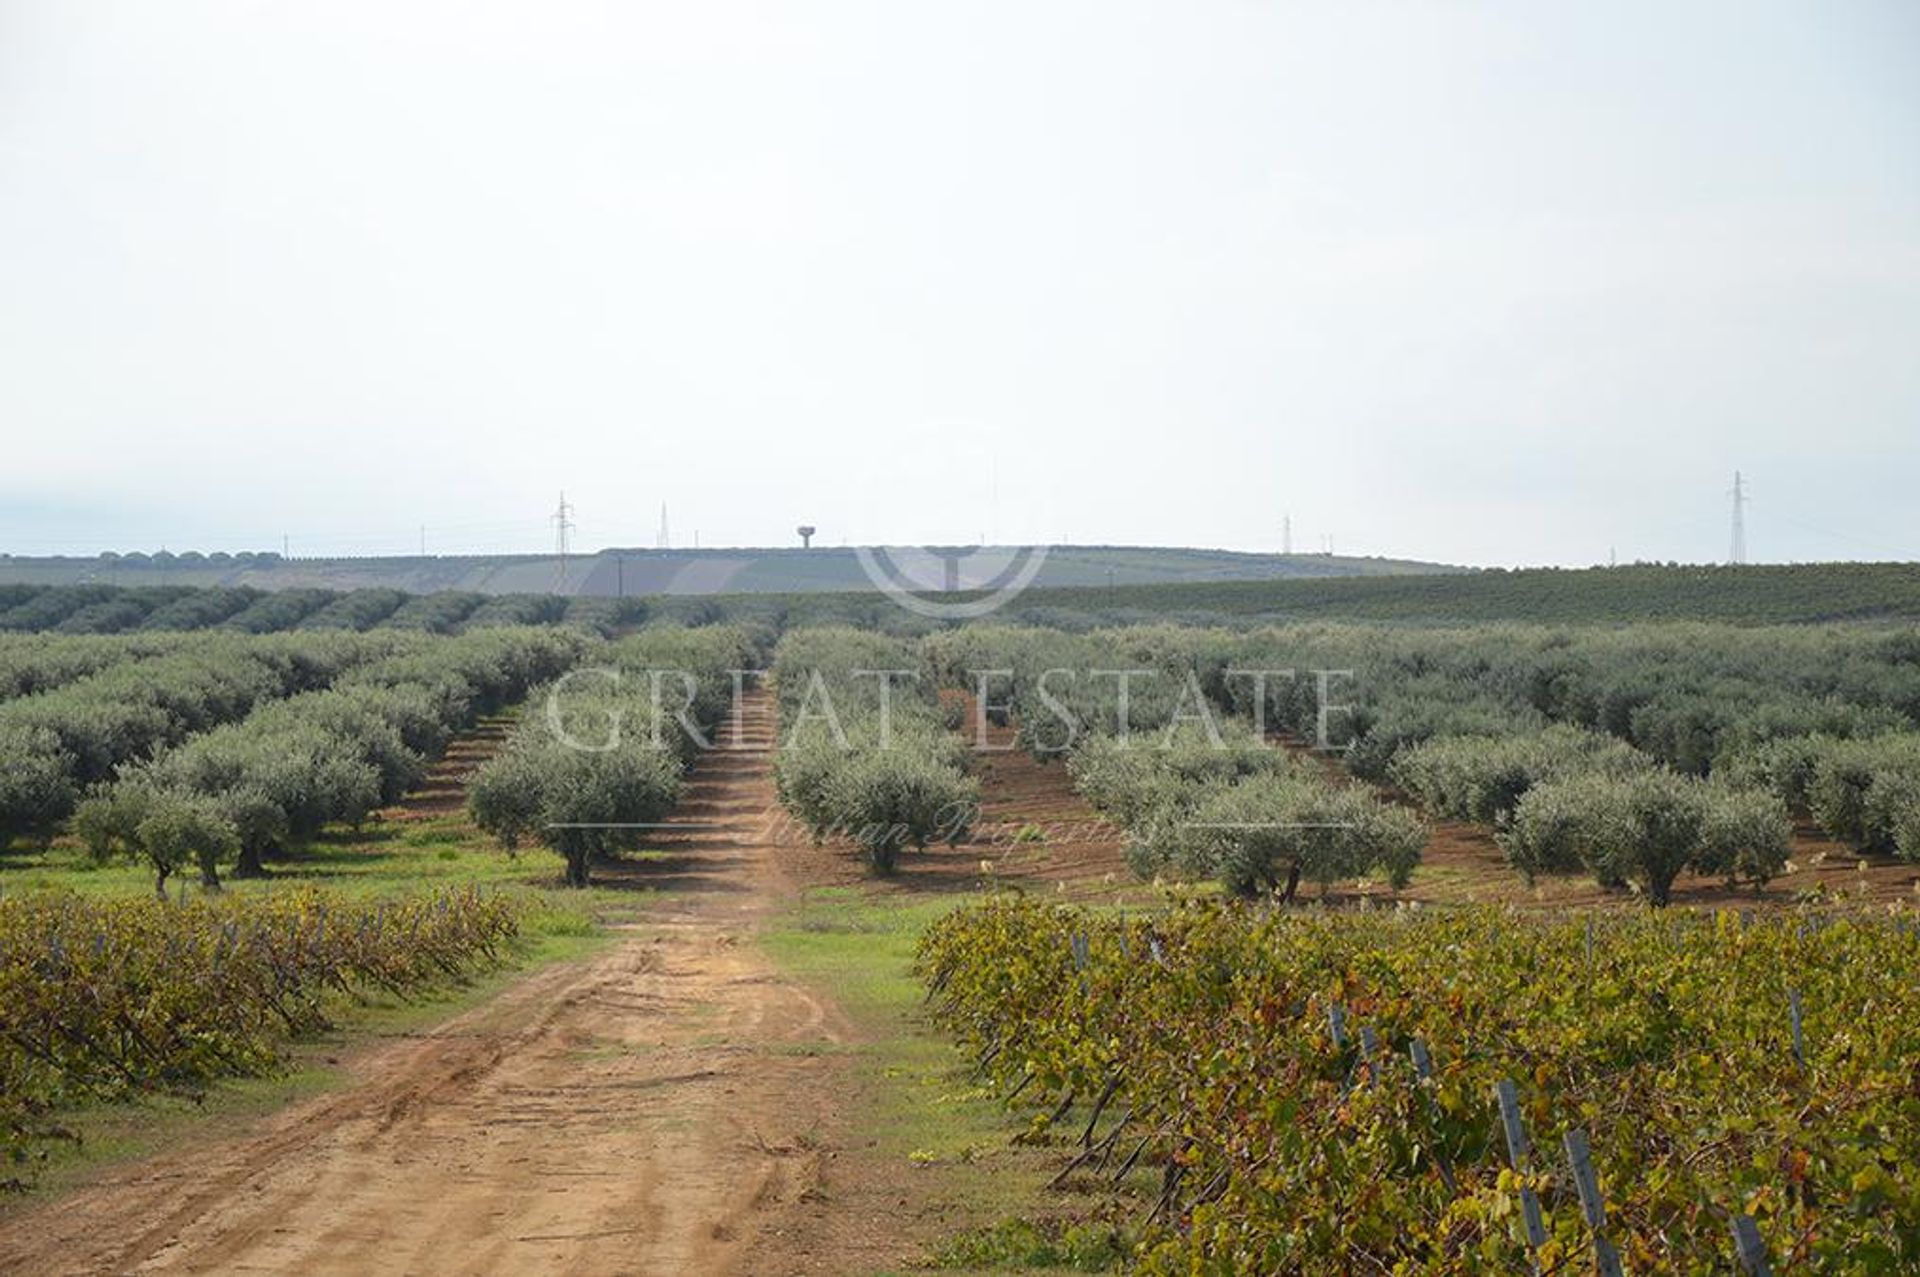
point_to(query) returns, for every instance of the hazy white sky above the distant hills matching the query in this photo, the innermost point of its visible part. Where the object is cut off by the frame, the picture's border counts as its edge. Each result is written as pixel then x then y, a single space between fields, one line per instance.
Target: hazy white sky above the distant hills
pixel 1491 283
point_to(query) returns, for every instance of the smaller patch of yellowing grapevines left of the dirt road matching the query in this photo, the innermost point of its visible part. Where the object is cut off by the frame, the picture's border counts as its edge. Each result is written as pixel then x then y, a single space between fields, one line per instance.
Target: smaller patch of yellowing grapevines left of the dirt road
pixel 112 1000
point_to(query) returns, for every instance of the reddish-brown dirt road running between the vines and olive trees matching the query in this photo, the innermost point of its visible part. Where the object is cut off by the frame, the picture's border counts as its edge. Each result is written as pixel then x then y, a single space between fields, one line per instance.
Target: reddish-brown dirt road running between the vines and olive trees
pixel 650 1111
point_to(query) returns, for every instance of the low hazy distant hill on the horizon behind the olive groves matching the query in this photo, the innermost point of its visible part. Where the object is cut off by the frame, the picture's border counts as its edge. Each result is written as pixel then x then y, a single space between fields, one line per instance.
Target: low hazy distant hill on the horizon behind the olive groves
pixel 684 571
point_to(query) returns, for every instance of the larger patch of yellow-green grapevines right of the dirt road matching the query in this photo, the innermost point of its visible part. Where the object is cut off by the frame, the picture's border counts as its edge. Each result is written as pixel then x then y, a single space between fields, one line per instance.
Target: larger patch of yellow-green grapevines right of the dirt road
pixel 1282 1149
